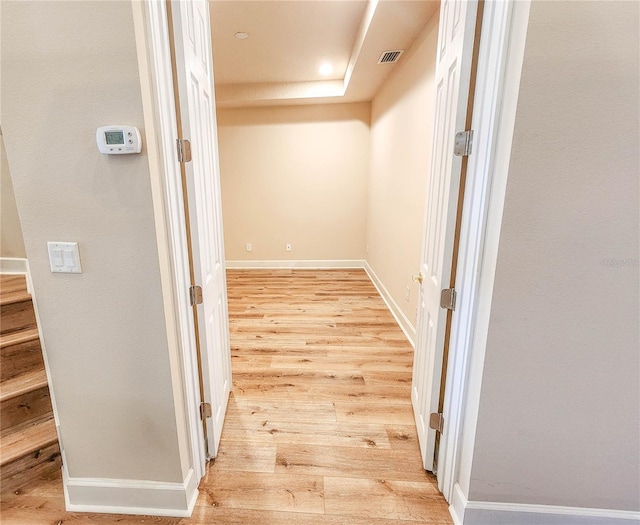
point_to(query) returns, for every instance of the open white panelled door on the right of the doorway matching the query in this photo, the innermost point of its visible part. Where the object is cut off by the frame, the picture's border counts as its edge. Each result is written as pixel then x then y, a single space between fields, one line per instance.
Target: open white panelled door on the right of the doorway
pixel 455 49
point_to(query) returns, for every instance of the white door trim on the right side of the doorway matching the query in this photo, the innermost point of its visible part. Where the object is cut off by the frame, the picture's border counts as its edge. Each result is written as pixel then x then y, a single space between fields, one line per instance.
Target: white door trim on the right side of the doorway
pixel 500 59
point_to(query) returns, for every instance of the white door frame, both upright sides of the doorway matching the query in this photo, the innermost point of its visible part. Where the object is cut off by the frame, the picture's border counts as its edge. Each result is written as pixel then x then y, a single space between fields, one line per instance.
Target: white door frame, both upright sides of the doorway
pixel 498 77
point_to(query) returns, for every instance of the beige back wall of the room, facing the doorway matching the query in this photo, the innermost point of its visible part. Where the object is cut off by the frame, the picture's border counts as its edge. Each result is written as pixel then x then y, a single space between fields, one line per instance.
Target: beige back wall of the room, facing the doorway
pixel 294 175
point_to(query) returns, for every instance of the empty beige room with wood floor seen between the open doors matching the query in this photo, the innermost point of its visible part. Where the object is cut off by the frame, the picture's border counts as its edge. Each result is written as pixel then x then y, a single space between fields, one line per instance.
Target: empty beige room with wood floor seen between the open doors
pixel 323 184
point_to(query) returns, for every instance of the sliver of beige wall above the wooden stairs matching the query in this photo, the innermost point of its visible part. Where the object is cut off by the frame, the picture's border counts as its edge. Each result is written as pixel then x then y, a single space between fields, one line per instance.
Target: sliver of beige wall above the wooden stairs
pixel 11 242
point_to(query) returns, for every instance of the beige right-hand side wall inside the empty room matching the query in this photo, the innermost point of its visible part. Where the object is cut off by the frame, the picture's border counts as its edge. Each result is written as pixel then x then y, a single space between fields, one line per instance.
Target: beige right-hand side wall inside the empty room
pixel 401 135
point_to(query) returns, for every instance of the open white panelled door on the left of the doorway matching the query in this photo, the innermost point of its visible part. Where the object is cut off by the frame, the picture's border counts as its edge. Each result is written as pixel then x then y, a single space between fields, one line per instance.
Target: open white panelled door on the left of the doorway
pixel 192 41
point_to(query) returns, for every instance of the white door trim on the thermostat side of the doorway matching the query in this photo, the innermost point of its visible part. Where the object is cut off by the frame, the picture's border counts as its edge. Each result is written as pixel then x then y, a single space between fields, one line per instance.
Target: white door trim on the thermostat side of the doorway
pixel 152 25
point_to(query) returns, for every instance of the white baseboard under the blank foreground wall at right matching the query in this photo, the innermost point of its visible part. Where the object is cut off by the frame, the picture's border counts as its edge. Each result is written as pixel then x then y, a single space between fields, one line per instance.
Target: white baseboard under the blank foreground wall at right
pixel 491 513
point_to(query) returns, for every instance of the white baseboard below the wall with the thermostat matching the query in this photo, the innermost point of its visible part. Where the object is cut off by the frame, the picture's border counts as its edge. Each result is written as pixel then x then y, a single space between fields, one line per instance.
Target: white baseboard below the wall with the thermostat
pixel 113 496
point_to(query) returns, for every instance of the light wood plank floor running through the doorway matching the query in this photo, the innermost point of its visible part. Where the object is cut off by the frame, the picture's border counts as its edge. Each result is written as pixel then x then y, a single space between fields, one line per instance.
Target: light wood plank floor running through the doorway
pixel 319 428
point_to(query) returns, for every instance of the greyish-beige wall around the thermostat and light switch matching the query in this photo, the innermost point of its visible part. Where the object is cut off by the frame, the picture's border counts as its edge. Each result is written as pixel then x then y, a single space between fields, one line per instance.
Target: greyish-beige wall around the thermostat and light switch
pixel 69 67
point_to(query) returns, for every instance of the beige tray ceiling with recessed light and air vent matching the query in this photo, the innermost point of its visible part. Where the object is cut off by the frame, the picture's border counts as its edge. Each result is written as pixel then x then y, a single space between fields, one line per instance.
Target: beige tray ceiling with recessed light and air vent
pixel 278 63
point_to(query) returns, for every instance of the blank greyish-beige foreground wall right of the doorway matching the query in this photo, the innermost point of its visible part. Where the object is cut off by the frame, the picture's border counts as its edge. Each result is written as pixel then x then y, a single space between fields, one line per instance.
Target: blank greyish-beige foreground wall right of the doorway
pixel 558 420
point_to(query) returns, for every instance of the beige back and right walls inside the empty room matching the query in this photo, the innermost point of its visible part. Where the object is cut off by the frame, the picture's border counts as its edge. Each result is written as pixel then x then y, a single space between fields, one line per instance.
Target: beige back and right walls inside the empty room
pixel 333 181
